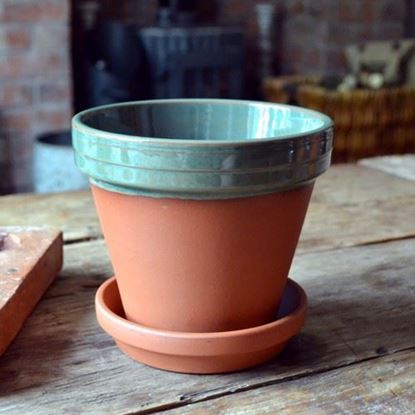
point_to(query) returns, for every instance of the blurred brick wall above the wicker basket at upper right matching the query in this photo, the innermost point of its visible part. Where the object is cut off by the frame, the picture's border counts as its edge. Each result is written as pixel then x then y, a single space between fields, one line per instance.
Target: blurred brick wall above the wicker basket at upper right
pixel 314 33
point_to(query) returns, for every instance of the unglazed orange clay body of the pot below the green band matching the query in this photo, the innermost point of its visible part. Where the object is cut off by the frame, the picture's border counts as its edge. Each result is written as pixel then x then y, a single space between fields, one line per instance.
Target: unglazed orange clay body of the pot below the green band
pixel 201 265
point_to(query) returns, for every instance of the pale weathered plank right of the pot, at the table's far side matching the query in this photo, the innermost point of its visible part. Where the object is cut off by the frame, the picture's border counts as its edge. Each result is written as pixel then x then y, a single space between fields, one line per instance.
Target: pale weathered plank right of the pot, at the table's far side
pixel 354 205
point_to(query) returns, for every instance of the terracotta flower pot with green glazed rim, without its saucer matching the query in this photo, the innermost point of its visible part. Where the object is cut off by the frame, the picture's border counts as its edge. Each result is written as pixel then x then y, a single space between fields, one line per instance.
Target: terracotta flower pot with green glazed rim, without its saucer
pixel 201 203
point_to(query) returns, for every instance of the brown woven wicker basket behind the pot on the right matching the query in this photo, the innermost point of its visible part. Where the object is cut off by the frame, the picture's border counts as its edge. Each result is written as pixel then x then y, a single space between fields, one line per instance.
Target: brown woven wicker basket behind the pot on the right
pixel 368 122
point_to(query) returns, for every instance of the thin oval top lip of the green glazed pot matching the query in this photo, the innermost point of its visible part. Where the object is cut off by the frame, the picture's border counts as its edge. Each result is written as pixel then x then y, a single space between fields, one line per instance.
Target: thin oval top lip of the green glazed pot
pixel 78 123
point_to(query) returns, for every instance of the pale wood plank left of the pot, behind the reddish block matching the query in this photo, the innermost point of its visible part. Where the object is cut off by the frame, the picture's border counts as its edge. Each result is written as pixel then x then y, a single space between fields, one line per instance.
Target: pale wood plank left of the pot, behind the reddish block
pixel 73 213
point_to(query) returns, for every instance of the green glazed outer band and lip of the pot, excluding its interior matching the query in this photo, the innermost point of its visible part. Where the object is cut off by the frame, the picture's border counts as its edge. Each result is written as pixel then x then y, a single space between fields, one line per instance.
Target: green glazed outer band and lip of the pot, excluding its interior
pixel 201 168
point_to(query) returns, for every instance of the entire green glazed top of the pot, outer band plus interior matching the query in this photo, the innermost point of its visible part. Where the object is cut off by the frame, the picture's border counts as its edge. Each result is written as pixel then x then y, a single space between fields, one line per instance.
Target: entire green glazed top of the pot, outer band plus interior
pixel 209 168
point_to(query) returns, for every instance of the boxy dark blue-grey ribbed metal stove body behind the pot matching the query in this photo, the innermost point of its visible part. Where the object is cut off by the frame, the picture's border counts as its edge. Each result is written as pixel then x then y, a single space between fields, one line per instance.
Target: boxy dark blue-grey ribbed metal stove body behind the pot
pixel 194 61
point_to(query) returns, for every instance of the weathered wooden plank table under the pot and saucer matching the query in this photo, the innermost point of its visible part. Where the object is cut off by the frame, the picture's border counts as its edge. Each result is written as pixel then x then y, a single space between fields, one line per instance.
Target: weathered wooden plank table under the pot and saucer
pixel 356 354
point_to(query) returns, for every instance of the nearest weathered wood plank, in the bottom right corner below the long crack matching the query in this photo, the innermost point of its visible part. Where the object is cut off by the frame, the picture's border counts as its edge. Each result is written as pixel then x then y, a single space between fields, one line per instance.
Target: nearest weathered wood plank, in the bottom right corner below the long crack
pixel 385 385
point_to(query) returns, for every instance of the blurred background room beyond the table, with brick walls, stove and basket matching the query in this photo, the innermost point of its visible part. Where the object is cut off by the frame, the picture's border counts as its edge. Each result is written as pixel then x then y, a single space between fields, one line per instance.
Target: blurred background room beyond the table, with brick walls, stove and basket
pixel 353 59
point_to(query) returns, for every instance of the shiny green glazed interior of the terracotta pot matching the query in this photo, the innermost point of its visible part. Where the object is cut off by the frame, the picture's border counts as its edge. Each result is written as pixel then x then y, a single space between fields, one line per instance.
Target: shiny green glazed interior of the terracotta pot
pixel 206 120
